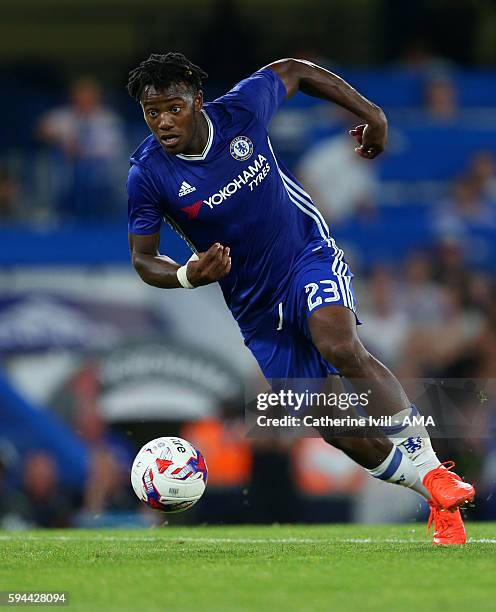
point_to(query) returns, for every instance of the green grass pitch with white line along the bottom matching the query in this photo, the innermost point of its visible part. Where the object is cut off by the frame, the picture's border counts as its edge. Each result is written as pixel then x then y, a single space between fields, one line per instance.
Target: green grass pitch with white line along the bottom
pixel 273 568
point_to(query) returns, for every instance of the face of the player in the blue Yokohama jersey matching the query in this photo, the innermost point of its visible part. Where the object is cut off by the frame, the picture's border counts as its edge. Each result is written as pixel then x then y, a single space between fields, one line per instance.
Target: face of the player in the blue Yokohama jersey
pixel 173 117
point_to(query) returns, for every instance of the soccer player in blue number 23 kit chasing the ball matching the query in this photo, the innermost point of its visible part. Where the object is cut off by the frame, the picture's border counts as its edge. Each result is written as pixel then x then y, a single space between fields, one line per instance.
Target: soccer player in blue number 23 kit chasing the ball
pixel 210 171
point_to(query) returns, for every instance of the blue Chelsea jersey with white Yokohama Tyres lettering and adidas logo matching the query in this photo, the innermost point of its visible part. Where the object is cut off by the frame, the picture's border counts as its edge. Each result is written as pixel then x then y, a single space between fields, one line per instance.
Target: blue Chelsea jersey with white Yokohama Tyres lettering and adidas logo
pixel 236 192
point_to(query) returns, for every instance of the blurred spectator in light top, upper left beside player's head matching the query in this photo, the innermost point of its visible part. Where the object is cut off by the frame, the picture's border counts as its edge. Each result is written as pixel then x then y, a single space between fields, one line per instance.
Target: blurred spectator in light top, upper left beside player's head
pixel 89 153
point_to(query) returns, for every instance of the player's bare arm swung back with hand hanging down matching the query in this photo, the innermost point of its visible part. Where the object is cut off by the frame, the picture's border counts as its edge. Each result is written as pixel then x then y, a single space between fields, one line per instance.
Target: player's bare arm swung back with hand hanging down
pixel 301 75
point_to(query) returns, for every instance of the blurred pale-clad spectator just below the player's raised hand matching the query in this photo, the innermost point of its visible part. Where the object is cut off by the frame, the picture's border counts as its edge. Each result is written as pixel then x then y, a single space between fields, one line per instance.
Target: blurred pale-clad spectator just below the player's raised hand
pixel 340 182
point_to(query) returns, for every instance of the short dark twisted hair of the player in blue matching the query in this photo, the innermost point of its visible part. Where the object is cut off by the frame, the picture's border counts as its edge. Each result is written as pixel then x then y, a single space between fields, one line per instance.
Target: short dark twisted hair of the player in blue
pixel 161 71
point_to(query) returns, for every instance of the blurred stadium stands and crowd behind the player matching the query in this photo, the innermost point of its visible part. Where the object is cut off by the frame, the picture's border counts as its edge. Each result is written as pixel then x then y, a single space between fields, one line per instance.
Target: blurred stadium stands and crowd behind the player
pixel 95 363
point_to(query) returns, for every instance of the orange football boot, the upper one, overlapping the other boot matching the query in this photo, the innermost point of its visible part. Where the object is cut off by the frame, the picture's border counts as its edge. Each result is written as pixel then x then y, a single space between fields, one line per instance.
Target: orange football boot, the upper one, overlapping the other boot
pixel 447 489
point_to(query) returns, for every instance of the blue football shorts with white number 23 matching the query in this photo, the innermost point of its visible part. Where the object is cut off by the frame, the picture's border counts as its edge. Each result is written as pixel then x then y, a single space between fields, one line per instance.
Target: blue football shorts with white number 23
pixel 281 341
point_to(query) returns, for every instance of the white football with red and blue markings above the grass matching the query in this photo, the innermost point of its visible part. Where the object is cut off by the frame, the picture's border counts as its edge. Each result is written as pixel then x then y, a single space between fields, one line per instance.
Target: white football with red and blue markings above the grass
pixel 169 474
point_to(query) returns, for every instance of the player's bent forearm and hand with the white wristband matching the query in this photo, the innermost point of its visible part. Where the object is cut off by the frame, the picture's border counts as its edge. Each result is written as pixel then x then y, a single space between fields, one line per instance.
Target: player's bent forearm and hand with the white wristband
pixel 161 271
